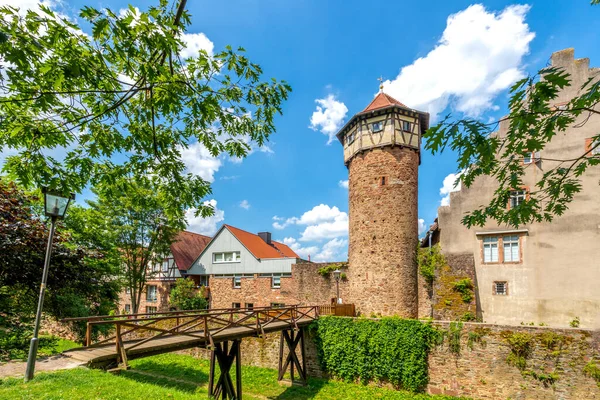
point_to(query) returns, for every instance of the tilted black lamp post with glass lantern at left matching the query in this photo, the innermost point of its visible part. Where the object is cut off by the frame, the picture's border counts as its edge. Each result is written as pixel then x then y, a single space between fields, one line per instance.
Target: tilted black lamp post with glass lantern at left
pixel 55 207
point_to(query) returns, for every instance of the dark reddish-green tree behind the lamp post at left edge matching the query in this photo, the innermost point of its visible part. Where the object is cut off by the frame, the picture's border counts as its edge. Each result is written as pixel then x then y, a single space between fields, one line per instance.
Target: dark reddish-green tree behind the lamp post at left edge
pixel 91 288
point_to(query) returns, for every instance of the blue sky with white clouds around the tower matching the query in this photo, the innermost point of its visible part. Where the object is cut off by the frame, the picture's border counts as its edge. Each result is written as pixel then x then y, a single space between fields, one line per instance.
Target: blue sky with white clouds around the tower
pixel 334 51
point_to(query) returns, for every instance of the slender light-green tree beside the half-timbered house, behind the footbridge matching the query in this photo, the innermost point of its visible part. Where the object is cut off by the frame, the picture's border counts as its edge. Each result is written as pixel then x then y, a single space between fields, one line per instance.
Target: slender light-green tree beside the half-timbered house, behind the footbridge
pixel 131 216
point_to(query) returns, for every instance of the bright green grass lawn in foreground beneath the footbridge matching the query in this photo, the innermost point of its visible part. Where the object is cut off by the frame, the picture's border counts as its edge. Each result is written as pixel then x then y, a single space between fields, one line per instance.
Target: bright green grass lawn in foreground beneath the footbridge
pixel 182 377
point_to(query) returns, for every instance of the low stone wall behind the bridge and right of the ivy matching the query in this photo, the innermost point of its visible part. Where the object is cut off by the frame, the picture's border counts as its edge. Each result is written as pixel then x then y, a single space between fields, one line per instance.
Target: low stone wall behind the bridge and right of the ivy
pixel 482 372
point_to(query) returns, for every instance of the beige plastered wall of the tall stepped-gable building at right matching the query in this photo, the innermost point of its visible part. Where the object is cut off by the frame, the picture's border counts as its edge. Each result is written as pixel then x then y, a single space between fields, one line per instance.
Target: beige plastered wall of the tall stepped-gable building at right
pixel 559 275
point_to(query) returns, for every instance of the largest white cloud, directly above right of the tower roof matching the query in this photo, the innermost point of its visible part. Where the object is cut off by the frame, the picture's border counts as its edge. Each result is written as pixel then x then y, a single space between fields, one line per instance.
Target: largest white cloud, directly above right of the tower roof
pixel 479 55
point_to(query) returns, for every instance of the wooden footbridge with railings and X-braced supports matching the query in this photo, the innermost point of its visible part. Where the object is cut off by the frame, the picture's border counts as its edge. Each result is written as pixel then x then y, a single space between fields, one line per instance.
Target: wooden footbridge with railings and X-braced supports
pixel 221 331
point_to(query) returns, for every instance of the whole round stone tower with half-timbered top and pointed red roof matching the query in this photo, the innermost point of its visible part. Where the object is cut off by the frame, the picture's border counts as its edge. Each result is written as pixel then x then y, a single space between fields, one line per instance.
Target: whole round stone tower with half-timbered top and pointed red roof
pixel 382 153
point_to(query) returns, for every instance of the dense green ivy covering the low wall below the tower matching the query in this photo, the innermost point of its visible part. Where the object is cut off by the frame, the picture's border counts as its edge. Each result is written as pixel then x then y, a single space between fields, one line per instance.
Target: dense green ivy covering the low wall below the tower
pixel 390 349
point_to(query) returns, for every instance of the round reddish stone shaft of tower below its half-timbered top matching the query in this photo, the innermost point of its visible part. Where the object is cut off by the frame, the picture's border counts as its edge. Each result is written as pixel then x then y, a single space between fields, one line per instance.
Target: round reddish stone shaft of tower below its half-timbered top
pixel 383 231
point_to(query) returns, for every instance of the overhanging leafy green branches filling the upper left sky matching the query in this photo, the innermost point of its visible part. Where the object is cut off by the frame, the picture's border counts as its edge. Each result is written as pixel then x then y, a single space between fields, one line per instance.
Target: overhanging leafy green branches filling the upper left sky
pixel 124 90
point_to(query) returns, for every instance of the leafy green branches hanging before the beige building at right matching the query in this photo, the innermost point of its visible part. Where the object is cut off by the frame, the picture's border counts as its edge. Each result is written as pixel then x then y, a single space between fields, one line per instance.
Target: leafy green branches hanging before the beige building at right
pixel 533 122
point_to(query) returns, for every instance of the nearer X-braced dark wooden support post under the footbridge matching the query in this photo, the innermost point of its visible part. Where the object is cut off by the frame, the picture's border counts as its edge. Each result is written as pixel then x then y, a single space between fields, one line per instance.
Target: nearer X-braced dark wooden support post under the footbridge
pixel 225 355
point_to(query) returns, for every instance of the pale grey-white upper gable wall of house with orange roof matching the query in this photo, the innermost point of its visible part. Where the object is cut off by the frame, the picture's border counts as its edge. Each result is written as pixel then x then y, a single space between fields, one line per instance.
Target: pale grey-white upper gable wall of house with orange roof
pixel 248 264
